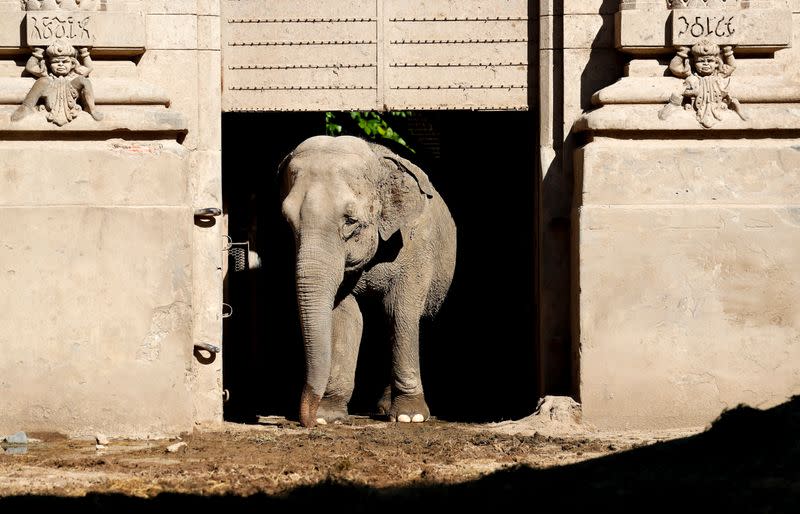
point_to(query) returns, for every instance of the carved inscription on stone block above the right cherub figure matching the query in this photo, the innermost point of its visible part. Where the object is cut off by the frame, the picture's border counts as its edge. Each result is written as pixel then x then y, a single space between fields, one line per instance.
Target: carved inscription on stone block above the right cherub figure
pixel 689 26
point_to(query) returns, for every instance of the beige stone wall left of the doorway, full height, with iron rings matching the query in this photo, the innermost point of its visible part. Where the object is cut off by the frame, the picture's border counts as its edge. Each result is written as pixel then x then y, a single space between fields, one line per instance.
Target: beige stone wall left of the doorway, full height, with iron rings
pixel 108 281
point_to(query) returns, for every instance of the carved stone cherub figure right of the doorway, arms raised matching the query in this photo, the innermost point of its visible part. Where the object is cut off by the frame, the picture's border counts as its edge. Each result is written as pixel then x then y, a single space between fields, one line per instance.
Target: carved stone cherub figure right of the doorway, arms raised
pixel 705 89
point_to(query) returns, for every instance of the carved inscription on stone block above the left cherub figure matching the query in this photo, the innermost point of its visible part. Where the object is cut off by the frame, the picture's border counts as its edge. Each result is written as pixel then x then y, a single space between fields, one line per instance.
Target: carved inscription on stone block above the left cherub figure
pixel 45 28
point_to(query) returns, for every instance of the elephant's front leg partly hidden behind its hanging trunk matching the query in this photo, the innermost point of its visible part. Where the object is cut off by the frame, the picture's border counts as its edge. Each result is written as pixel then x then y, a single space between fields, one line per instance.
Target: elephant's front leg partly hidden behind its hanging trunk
pixel 348 325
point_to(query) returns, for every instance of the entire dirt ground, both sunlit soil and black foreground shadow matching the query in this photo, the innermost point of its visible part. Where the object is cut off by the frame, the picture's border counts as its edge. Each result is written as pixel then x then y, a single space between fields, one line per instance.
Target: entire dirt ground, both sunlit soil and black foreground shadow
pixel 748 461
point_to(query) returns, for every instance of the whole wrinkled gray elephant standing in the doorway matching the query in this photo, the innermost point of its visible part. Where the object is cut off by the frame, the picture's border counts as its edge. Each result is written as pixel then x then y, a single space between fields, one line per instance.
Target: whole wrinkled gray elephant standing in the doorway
pixel 352 206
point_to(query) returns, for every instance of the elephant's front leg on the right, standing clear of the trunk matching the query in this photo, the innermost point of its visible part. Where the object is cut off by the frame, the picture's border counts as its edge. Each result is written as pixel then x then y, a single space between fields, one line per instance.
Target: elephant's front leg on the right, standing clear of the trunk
pixel 408 400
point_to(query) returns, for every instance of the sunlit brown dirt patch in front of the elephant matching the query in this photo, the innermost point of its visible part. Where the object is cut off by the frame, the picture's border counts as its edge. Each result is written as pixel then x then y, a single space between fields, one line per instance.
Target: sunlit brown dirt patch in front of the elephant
pixel 279 455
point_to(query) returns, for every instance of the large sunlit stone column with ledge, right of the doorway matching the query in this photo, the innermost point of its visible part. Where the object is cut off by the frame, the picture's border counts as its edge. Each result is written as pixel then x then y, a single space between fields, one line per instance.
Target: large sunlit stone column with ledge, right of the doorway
pixel 687 233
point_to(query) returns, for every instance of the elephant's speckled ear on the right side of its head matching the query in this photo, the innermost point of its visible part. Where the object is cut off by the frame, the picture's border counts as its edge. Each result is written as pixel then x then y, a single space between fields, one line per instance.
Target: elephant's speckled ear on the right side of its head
pixel 403 192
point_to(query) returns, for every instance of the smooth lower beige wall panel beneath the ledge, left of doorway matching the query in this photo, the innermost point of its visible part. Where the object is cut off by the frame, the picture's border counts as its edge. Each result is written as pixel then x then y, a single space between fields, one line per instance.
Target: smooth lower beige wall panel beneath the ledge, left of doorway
pixel 95 321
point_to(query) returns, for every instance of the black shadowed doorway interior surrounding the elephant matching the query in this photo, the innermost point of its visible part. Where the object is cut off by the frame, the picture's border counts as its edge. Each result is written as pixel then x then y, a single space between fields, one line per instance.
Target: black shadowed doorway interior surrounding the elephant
pixel 479 355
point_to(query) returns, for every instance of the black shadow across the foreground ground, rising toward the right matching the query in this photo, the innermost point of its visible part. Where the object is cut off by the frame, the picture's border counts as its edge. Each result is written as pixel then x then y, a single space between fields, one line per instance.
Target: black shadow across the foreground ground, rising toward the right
pixel 748 461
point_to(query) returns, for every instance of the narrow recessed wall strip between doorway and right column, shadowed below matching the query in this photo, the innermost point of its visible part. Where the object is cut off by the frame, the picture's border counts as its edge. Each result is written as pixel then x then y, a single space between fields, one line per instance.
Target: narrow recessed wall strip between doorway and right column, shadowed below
pixel 576 58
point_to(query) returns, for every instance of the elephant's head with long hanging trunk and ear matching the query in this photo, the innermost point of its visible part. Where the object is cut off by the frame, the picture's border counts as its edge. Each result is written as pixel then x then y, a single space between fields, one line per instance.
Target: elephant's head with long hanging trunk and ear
pixel 342 196
